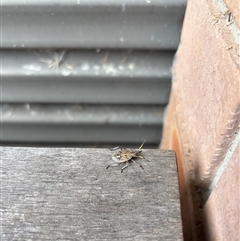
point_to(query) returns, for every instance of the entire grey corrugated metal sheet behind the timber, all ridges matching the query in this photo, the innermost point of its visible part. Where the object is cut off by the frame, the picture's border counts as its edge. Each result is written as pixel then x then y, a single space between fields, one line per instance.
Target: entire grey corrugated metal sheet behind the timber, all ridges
pixel 86 72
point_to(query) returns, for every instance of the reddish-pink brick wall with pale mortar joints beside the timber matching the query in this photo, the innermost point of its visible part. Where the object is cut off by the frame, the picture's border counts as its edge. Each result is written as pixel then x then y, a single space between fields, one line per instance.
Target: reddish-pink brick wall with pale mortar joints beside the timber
pixel 202 120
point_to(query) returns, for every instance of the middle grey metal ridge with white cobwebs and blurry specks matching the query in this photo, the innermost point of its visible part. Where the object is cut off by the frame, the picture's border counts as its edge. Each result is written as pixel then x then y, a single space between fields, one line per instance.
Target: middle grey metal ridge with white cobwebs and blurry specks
pixel 86 76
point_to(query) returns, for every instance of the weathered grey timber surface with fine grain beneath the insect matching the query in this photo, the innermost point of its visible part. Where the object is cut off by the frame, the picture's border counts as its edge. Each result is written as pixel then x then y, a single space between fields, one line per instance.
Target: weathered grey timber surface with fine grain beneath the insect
pixel 68 194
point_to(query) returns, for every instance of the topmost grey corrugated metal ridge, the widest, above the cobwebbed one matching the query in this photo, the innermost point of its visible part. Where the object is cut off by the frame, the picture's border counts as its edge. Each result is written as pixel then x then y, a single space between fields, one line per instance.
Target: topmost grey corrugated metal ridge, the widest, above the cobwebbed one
pixel 138 24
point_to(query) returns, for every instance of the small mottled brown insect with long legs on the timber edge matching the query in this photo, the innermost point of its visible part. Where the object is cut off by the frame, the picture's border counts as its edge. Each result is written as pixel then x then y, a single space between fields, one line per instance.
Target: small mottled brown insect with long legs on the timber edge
pixel 126 156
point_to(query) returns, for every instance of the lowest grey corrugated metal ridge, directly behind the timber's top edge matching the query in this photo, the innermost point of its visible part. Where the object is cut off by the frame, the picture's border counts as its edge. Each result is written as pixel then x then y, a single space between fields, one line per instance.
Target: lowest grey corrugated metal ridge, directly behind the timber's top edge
pixel 85 124
